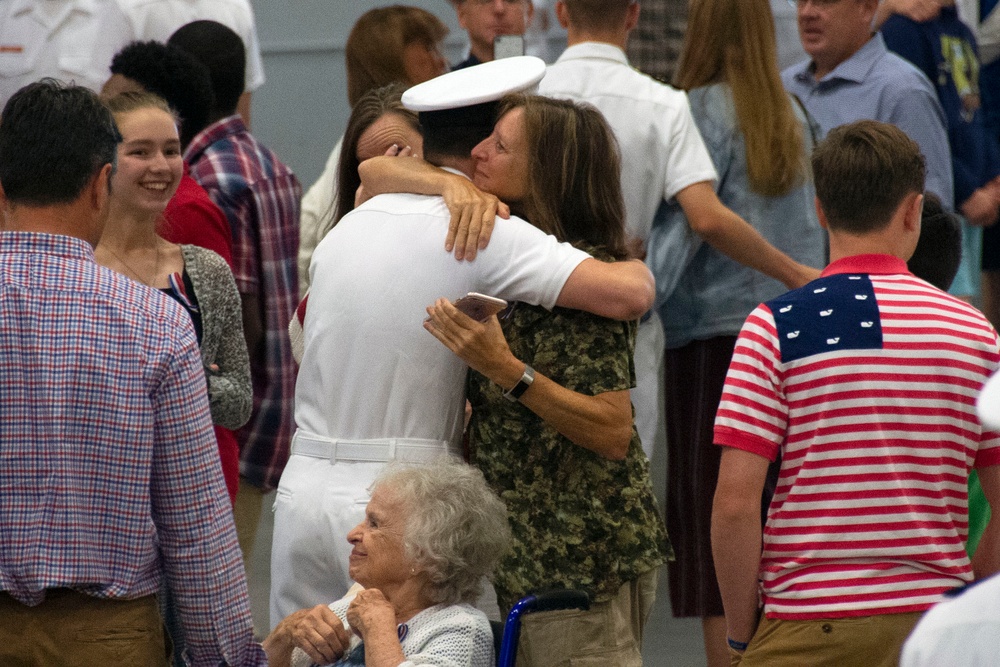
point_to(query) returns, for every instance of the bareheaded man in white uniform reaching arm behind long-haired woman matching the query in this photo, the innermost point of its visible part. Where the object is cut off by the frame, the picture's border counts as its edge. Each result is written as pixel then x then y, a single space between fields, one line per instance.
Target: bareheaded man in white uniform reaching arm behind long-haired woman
pixel 663 157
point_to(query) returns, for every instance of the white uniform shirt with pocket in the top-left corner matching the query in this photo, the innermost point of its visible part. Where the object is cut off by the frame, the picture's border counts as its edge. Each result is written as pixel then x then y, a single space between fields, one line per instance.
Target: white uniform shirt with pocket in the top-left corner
pixel 55 38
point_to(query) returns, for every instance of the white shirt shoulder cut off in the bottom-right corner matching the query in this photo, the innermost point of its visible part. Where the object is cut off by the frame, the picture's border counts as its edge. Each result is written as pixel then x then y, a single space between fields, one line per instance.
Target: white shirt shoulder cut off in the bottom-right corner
pixel 959 631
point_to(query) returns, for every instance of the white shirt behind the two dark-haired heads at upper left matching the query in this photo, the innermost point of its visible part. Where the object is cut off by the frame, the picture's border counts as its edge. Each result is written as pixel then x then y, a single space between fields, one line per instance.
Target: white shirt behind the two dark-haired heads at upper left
pixel 158 19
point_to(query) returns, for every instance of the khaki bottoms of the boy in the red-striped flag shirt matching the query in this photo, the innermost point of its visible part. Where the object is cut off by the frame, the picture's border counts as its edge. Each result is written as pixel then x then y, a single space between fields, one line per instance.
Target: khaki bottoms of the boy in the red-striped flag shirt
pixel 862 641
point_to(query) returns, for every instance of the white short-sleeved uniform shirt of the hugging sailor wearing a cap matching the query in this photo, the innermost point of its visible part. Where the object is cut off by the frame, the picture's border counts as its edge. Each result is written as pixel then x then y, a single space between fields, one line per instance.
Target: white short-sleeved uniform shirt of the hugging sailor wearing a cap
pixel 369 369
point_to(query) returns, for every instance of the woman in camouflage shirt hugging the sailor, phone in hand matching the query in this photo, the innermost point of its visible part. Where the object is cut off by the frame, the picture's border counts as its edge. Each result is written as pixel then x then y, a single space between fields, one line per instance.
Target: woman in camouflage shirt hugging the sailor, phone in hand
pixel 561 450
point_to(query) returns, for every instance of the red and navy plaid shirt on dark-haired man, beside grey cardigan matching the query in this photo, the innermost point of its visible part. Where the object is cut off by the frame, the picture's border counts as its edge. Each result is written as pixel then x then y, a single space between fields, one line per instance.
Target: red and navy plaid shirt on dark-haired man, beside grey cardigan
pixel 261 198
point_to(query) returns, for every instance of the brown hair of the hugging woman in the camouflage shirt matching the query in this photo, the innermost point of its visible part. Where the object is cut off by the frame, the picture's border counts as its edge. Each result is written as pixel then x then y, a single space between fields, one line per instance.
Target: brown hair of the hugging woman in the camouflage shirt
pixel 574 173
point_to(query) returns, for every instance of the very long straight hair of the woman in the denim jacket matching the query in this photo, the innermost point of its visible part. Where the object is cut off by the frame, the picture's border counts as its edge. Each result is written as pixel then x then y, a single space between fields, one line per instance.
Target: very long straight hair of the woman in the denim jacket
pixel 732 42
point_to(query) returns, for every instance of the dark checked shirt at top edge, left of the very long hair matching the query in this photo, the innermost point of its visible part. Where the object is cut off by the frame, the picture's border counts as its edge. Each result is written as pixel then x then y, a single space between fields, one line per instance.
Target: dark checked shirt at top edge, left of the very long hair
pixel 654 47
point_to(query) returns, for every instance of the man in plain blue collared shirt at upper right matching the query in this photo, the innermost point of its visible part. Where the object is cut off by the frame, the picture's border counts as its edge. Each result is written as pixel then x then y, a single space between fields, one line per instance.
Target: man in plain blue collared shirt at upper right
pixel 852 76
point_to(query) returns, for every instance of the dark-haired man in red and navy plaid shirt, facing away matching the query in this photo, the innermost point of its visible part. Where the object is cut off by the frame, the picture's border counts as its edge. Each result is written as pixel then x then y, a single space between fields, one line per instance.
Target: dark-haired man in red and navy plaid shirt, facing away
pixel 260 196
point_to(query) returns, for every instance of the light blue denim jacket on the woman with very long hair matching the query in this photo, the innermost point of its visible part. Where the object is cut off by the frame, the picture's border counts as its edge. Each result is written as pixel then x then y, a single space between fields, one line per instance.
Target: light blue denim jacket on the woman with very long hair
pixel 702 293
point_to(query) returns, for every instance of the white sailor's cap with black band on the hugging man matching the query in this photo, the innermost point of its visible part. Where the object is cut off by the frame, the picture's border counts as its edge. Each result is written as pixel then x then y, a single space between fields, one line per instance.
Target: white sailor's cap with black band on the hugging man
pixel 468 96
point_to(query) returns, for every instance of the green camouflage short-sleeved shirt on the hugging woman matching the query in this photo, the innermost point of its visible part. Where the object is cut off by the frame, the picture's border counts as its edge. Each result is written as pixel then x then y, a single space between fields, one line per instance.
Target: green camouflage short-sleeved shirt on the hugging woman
pixel 578 520
